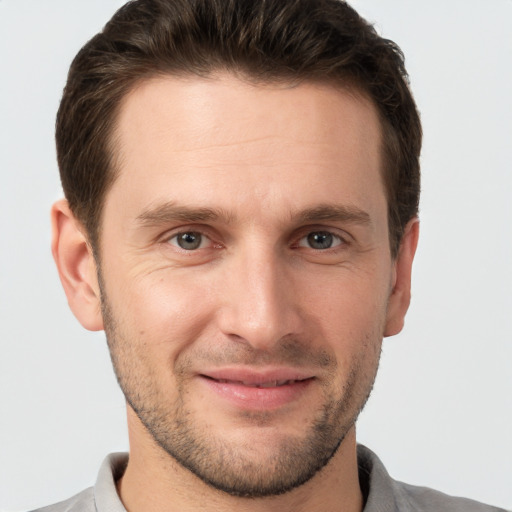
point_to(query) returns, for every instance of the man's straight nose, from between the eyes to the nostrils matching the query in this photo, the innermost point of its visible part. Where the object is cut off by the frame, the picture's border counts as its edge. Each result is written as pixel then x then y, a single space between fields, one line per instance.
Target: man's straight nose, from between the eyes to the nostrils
pixel 260 303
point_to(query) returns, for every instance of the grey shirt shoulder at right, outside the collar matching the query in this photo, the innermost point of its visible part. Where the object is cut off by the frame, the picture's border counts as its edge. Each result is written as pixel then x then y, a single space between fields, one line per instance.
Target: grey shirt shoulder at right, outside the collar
pixel 424 499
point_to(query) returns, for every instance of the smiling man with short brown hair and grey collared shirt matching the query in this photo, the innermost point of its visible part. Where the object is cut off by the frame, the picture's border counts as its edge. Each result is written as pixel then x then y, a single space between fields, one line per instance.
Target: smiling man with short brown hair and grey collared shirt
pixel 242 188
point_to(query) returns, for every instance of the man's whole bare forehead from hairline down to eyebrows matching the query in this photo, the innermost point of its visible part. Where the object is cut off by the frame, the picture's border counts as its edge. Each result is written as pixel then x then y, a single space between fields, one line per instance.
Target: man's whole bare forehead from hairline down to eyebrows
pixel 265 143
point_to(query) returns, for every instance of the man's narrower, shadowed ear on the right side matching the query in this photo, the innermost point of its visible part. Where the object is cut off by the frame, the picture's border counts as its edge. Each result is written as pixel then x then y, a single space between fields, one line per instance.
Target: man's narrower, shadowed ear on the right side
pixel 400 296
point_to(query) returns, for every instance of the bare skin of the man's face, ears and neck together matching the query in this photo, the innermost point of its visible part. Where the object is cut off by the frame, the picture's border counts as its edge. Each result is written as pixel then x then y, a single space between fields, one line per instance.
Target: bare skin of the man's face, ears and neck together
pixel 255 173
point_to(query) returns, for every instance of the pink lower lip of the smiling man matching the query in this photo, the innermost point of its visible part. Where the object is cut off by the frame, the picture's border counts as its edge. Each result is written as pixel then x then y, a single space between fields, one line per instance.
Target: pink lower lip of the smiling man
pixel 252 398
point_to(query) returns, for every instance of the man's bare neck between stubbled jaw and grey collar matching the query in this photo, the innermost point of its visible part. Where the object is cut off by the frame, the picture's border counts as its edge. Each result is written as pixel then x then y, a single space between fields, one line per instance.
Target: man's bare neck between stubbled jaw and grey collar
pixel 155 482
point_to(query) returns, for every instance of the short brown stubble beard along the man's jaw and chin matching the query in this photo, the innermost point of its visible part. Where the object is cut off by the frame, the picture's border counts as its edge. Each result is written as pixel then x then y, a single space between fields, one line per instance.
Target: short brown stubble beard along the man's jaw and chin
pixel 236 469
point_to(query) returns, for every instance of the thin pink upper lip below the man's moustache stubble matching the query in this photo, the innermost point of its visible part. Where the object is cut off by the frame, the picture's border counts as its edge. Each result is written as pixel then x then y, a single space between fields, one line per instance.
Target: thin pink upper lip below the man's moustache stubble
pixel 255 377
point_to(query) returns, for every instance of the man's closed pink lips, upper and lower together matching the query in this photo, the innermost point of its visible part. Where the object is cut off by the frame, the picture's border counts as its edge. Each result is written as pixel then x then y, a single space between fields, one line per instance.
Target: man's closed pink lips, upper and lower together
pixel 257 390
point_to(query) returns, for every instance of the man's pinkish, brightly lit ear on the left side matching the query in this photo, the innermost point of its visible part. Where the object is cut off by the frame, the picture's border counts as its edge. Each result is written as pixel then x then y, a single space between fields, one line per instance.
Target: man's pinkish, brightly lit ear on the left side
pixel 76 265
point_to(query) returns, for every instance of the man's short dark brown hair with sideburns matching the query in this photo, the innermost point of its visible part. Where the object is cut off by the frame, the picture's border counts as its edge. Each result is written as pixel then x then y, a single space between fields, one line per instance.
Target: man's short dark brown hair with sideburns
pixel 266 41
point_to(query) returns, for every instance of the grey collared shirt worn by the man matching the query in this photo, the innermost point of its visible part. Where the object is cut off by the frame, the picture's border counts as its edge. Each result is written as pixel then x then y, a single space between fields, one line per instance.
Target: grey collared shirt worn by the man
pixel 382 493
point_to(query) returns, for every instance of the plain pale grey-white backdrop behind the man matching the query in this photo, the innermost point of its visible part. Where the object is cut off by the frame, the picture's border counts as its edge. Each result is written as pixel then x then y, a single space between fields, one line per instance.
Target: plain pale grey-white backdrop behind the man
pixel 441 412
